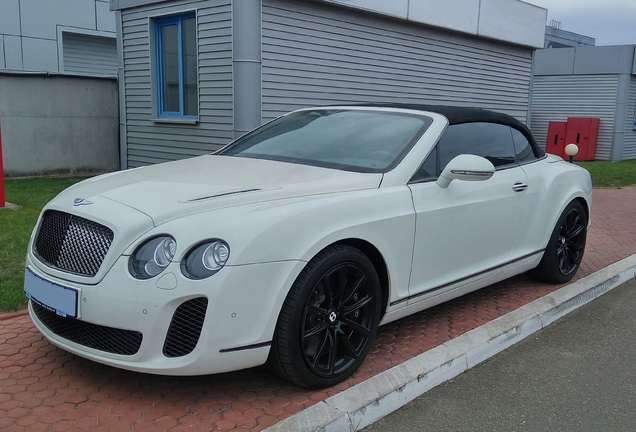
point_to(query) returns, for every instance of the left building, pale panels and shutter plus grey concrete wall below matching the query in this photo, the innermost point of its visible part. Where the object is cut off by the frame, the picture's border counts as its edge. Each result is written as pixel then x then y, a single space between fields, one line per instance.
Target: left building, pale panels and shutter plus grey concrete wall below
pixel 59 109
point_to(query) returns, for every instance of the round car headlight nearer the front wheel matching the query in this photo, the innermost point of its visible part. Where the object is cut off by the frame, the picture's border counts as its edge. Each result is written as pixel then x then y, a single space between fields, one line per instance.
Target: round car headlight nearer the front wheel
pixel 205 259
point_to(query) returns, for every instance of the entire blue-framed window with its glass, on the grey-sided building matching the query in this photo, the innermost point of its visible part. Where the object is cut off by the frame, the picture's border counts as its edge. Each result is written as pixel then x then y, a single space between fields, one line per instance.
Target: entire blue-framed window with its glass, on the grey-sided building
pixel 176 65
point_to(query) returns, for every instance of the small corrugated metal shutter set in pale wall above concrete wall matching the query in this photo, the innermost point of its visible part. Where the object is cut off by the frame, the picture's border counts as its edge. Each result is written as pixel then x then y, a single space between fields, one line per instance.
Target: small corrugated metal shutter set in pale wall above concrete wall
pixel 89 55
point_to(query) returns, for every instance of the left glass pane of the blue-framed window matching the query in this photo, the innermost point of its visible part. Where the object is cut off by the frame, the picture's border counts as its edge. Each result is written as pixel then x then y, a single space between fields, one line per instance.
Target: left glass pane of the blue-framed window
pixel 170 68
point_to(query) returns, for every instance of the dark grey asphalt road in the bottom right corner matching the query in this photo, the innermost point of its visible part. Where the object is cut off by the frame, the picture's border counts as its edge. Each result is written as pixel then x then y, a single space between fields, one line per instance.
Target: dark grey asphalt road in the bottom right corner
pixel 578 374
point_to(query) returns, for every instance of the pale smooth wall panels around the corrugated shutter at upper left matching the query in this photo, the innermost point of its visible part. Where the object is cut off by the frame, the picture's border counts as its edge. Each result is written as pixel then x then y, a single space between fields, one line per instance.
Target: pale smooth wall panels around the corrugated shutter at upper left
pixel 31 30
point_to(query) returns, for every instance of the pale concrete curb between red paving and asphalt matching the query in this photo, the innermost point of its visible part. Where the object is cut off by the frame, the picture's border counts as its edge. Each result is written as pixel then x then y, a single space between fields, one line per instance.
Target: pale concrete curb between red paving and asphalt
pixel 369 401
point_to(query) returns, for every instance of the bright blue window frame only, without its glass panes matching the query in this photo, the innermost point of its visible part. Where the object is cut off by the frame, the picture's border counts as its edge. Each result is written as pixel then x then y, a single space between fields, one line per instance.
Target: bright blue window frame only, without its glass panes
pixel 158 74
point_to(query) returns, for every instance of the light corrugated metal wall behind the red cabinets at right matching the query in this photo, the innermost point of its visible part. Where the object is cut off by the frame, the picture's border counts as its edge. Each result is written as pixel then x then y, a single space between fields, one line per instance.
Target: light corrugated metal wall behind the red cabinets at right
pixel 555 98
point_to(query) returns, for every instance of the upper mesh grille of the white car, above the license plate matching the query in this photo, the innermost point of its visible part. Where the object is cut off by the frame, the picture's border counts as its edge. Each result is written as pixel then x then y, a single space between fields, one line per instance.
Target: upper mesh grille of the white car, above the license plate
pixel 72 243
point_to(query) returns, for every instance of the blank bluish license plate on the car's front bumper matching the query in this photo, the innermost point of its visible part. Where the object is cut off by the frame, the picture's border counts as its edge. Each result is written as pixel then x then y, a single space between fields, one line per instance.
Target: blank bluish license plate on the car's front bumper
pixel 54 297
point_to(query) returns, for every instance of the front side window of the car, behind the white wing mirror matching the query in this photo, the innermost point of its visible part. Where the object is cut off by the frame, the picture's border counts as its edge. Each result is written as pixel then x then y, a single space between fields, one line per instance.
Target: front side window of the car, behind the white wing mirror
pixel 489 140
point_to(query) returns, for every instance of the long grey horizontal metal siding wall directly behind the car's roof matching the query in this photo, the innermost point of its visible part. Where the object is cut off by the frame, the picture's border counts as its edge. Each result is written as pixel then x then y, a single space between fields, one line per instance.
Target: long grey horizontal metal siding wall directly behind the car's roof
pixel 315 54
